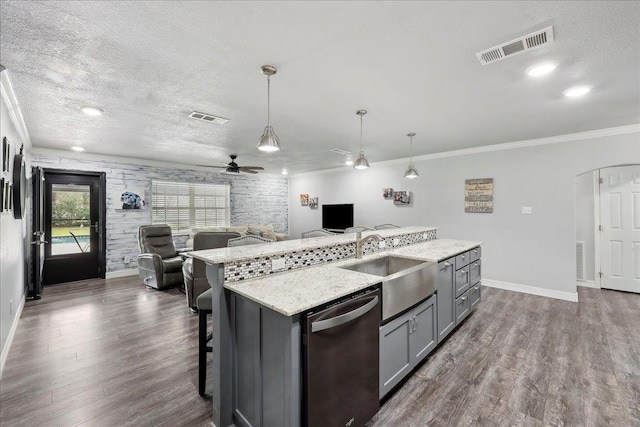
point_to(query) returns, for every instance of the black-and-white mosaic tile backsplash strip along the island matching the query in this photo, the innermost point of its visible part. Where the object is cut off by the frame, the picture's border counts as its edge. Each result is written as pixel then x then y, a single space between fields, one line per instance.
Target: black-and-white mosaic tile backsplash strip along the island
pixel 261 266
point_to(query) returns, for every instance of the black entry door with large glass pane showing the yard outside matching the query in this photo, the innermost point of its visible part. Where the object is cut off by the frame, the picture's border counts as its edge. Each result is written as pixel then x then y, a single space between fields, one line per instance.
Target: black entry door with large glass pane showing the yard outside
pixel 74 210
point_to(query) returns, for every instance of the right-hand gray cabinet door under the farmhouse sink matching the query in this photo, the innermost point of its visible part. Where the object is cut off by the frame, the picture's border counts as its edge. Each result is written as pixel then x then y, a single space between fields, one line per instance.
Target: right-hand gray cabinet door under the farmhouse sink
pixel 423 334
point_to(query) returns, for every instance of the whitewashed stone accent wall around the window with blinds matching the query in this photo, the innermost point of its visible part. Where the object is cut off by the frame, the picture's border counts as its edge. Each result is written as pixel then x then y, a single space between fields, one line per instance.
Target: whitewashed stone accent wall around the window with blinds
pixel 257 199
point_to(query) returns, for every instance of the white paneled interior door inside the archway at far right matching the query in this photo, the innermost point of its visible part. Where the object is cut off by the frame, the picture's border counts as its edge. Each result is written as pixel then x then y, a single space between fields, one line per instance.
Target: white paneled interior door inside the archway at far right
pixel 620 228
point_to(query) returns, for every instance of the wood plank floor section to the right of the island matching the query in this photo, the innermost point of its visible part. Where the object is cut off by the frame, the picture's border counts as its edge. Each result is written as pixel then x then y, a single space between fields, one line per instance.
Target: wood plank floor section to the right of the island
pixel 522 360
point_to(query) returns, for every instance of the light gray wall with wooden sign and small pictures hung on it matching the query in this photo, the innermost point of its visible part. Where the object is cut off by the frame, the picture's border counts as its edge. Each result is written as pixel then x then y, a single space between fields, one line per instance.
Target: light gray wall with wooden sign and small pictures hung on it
pixel 535 250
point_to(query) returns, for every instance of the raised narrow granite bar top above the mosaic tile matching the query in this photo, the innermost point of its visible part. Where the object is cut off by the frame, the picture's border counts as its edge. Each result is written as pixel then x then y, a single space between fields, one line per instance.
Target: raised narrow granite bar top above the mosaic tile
pixel 239 253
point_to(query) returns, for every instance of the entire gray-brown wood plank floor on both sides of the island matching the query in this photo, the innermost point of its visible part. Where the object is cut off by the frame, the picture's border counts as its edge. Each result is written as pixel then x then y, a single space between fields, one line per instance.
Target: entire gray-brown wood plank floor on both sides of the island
pixel 114 353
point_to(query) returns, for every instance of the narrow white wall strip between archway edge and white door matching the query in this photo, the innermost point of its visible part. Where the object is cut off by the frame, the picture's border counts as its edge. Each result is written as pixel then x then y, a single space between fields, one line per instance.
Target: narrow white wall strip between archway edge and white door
pixel 585 220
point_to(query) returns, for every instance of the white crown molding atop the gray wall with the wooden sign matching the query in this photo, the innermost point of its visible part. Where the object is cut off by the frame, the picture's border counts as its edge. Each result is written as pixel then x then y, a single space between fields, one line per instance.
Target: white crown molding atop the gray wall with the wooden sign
pixel 599 133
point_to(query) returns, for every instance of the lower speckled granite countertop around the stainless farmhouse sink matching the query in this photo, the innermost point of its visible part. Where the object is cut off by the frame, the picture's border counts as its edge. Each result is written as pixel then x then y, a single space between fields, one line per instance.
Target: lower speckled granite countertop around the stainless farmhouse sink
pixel 292 292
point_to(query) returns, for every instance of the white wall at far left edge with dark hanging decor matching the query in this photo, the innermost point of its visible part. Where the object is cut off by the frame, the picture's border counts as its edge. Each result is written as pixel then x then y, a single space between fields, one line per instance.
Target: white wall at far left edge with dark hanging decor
pixel 13 234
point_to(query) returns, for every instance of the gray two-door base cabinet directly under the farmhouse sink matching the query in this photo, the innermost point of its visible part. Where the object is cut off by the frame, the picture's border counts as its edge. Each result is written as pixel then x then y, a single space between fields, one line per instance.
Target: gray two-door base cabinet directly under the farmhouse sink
pixel 405 341
